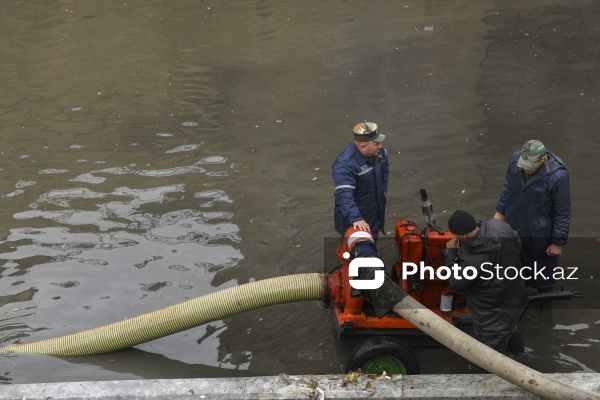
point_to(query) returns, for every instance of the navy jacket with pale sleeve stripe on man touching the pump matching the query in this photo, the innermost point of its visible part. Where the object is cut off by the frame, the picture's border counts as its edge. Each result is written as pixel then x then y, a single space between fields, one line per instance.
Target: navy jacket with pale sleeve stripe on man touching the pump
pixel 360 185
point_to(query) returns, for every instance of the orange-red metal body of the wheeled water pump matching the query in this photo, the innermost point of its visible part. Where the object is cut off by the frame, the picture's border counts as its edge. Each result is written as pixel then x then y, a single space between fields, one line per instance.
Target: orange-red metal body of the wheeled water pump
pixel 355 318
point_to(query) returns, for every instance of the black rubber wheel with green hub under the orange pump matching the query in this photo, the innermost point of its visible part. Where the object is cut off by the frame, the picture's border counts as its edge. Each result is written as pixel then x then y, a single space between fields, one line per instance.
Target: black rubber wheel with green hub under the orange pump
pixel 381 354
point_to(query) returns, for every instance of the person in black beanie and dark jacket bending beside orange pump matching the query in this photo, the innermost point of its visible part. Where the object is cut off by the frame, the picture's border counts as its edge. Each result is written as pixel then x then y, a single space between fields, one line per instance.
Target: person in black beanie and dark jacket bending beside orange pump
pixel 496 295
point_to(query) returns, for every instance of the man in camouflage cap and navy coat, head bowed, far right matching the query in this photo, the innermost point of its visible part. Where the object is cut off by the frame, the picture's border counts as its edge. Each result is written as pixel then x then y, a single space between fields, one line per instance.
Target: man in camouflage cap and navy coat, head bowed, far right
pixel 536 202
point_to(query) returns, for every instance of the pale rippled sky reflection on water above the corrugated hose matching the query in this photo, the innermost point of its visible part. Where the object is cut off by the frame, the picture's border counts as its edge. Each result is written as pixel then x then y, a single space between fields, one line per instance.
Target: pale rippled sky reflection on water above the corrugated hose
pixel 119 254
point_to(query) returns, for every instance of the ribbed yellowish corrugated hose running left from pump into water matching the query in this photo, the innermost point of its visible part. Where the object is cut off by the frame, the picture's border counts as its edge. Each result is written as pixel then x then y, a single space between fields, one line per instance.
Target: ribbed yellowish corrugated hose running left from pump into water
pixel 181 316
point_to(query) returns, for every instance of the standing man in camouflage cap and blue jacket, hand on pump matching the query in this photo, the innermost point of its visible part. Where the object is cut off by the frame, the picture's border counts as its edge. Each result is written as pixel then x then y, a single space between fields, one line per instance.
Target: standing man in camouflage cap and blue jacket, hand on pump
pixel 360 176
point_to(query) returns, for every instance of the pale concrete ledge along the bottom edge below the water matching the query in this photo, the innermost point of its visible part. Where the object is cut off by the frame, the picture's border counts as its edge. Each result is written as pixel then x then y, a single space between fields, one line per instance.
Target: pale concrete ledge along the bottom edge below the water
pixel 340 386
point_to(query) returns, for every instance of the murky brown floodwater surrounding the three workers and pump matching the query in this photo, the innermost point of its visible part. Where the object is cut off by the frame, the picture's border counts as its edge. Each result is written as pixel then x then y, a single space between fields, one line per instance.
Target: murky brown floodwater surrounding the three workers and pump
pixel 152 152
